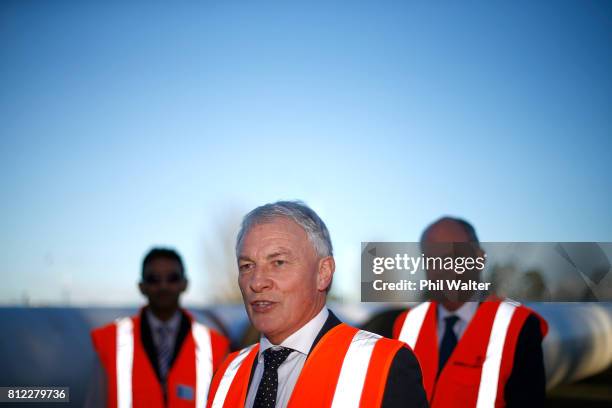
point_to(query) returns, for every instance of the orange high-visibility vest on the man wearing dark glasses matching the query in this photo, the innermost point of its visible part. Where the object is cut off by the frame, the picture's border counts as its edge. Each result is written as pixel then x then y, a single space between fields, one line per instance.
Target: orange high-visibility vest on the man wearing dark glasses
pixel 131 378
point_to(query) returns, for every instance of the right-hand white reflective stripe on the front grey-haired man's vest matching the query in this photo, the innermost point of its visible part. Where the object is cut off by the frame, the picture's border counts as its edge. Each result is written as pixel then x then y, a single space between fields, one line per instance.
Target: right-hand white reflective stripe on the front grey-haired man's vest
pixel 354 370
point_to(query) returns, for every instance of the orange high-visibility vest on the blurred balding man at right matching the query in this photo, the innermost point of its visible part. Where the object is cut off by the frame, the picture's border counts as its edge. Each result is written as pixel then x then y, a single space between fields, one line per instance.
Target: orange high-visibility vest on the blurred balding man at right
pixel 477 370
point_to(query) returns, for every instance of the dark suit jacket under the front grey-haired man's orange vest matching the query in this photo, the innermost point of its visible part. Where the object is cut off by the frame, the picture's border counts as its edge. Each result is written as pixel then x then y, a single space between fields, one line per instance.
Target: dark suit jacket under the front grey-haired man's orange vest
pixel 404 384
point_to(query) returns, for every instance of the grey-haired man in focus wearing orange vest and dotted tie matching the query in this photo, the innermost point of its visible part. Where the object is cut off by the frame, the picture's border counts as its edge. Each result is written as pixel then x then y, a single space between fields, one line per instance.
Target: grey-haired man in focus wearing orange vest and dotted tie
pixel 305 356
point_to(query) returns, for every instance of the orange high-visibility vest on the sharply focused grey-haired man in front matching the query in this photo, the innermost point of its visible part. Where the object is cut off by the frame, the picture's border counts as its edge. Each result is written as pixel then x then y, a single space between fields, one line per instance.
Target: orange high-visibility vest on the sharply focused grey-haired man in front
pixel 347 368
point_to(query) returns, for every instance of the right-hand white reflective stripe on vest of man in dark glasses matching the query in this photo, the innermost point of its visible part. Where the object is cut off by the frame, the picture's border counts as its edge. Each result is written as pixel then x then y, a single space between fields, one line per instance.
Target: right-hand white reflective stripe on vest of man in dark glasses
pixel 204 368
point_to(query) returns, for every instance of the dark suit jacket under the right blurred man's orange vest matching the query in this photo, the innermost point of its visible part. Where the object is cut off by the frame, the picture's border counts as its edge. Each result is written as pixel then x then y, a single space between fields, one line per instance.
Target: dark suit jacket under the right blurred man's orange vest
pixel 526 386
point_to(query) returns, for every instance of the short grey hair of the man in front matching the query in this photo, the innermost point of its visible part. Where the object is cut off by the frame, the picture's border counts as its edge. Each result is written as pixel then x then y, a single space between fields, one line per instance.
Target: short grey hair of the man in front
pixel 297 211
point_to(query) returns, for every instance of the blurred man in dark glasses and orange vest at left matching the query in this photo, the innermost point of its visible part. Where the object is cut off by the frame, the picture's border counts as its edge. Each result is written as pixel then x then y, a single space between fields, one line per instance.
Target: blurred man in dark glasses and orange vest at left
pixel 160 357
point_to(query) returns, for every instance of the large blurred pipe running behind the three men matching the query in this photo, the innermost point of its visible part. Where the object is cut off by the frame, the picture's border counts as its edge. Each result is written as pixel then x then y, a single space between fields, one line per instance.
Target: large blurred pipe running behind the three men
pixel 45 346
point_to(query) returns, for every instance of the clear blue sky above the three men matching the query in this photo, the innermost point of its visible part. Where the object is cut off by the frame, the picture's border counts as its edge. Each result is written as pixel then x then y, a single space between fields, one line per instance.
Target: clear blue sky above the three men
pixel 130 125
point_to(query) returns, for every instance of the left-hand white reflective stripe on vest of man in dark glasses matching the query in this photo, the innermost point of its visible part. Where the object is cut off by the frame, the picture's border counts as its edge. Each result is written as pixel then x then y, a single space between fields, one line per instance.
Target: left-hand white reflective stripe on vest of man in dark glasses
pixel 125 361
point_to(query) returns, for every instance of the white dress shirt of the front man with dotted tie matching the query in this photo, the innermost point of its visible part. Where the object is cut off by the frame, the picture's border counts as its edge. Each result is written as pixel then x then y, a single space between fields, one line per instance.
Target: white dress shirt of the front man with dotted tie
pixel 289 371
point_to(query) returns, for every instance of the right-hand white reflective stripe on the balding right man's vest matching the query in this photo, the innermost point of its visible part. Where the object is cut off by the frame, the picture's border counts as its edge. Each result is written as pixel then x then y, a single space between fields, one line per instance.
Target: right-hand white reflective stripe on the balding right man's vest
pixel 487 391
